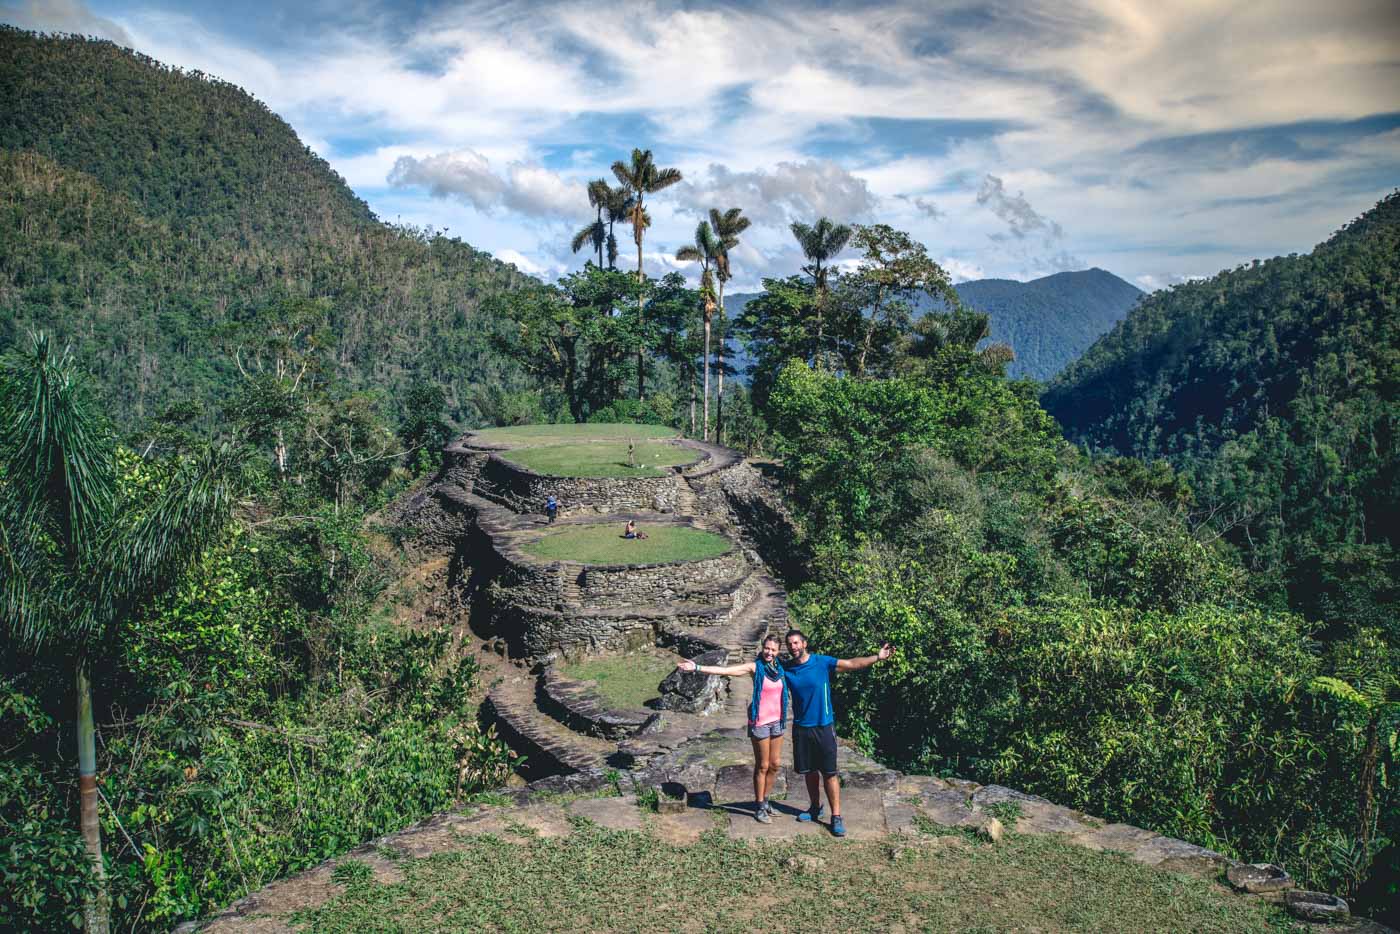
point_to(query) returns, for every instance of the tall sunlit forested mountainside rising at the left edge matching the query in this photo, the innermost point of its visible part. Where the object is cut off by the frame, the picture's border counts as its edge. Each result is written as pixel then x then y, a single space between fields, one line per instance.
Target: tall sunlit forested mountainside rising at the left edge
pixel 148 212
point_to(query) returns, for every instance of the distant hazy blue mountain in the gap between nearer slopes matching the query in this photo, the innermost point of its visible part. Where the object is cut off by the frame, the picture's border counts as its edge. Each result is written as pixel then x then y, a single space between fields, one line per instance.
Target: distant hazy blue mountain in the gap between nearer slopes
pixel 1048 321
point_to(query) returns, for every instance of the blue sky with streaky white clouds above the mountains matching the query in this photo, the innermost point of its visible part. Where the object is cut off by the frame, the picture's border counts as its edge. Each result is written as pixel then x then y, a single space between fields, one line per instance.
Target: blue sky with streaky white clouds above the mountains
pixel 1157 139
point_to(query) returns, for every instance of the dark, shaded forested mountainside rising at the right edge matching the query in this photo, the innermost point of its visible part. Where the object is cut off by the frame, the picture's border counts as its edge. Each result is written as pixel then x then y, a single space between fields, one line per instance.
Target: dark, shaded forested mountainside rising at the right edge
pixel 1276 389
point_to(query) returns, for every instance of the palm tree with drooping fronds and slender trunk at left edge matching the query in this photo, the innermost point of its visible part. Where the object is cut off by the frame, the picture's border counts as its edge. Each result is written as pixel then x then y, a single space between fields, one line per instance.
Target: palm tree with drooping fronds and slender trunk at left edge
pixel 75 558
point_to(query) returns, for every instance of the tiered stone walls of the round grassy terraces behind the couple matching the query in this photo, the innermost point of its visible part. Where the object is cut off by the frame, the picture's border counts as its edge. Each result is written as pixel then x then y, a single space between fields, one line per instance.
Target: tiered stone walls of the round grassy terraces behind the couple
pixel 485 509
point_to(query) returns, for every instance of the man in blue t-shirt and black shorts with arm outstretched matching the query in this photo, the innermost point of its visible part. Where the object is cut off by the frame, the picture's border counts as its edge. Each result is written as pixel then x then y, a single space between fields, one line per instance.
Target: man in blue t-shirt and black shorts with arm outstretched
pixel 814 722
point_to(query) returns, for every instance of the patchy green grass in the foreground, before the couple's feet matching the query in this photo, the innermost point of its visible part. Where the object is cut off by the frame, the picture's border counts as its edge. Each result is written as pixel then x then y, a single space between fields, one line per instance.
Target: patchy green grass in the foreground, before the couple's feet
pixel 625 881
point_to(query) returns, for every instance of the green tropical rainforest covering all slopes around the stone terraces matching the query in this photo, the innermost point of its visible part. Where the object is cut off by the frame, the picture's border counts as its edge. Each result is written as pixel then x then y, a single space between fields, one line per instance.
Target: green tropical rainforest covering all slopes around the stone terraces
pixel 220 368
